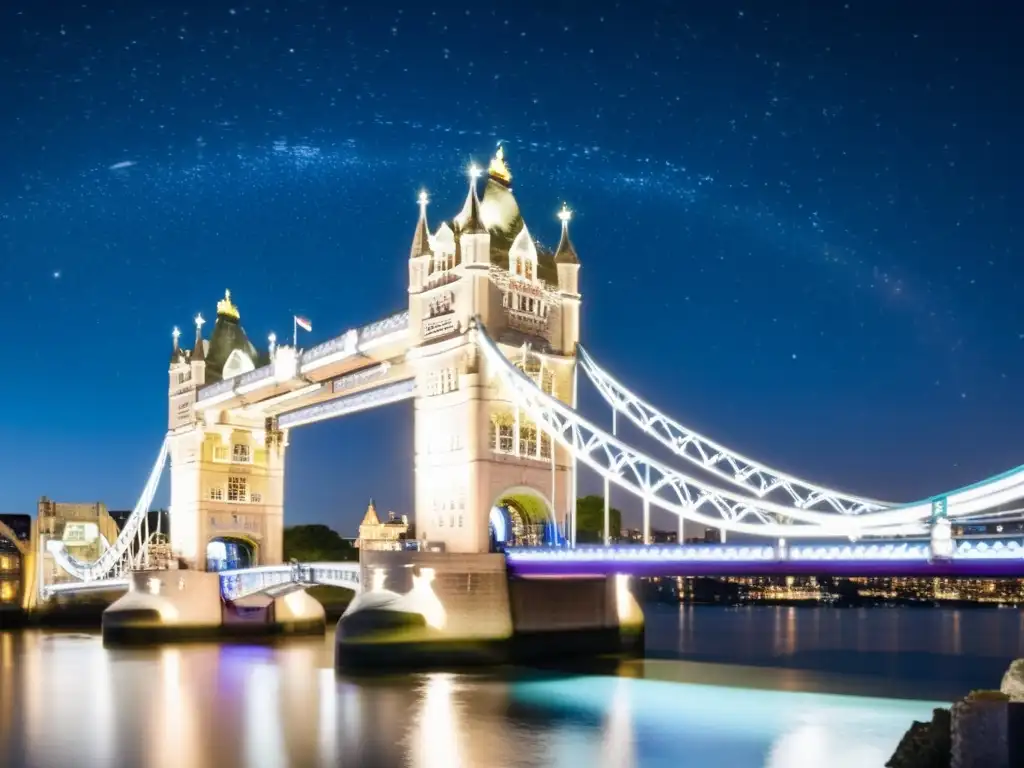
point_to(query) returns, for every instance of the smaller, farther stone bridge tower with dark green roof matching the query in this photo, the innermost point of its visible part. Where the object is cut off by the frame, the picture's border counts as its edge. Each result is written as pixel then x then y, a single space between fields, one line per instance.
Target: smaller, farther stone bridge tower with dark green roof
pixel 228 466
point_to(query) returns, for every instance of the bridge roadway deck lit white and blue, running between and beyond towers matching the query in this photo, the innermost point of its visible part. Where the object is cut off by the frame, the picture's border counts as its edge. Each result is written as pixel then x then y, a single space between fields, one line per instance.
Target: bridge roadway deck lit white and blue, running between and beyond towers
pixel 971 559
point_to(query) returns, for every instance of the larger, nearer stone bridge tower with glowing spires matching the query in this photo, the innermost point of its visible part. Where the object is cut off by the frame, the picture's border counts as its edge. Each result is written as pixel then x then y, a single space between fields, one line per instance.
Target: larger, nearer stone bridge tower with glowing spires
pixel 483 468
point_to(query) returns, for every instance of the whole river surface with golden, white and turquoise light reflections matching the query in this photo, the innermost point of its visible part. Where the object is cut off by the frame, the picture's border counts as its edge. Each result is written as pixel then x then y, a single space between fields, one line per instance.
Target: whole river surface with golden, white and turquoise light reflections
pixel 728 689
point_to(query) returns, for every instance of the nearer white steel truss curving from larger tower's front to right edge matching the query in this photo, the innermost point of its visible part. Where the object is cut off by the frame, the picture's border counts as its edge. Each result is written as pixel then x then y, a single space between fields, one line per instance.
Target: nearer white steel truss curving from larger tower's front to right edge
pixel 701 502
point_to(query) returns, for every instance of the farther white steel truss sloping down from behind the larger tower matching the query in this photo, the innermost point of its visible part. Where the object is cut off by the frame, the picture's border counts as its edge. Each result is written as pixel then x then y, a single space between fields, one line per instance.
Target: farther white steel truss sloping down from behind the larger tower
pixel 716 459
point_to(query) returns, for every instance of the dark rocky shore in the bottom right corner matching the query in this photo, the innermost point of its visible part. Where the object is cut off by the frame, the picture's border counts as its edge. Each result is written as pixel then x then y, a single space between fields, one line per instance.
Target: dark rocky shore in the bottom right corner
pixel 984 731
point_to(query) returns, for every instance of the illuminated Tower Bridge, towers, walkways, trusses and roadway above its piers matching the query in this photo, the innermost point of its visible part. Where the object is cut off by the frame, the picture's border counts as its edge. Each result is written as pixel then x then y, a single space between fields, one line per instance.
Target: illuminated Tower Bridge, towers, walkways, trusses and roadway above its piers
pixel 489 353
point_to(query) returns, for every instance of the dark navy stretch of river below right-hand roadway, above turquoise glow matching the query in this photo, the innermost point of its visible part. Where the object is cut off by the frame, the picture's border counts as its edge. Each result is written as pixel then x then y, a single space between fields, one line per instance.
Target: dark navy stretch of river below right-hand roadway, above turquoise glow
pixel 920 653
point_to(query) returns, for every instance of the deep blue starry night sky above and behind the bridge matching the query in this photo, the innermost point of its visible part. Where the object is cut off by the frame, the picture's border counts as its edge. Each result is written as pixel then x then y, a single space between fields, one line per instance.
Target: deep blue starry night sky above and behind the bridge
pixel 799 224
